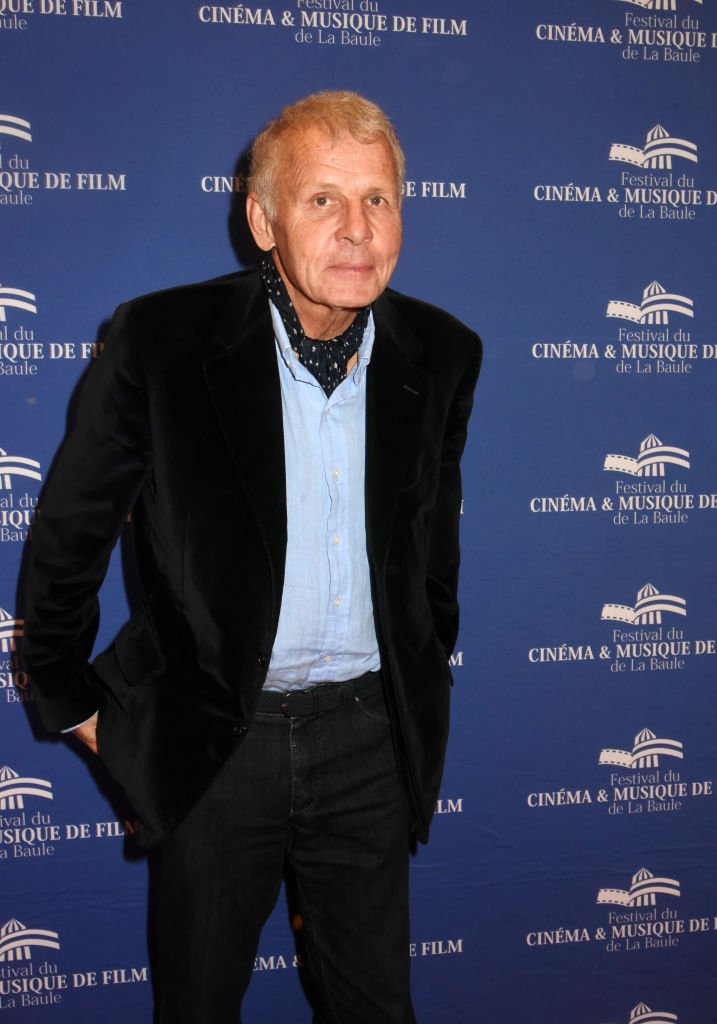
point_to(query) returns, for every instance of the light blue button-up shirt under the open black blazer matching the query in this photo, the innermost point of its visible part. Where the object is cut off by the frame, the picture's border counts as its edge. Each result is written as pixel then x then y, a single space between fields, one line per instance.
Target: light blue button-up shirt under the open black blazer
pixel 326 626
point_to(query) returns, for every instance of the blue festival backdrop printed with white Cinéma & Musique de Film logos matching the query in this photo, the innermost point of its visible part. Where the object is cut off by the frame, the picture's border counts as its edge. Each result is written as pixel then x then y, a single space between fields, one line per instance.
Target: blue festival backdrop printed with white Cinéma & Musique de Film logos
pixel 562 199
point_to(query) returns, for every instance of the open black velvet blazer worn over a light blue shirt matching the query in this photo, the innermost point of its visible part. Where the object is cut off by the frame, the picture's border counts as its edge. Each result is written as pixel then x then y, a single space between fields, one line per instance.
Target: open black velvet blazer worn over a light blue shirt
pixel 181 422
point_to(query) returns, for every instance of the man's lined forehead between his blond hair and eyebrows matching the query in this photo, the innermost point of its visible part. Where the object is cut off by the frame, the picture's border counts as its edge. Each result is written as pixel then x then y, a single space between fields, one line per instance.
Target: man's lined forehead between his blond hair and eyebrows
pixel 313 158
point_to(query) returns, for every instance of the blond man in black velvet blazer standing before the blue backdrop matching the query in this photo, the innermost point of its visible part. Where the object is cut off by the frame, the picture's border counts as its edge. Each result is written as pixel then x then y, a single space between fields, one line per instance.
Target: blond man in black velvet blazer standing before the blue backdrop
pixel 289 444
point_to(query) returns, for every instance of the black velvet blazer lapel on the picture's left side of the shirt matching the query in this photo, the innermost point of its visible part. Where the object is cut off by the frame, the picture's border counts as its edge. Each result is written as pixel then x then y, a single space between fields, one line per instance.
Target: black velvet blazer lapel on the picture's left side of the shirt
pixel 243 380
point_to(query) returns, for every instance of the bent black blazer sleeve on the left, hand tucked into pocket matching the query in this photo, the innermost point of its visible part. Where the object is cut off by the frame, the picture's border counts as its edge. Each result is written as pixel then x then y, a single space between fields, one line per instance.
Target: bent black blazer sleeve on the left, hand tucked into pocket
pixel 82 510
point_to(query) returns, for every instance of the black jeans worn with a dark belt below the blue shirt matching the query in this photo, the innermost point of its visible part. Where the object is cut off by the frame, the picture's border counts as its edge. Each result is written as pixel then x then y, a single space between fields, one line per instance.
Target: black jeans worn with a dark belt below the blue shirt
pixel 319 789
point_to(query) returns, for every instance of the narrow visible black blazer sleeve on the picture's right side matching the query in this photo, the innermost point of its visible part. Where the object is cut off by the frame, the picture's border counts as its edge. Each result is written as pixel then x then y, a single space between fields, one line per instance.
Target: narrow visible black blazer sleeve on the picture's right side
pixel 444 550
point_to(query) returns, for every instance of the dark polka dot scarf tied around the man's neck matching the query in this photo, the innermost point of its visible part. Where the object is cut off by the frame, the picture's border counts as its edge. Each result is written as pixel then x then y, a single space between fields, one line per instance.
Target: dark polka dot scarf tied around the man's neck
pixel 326 360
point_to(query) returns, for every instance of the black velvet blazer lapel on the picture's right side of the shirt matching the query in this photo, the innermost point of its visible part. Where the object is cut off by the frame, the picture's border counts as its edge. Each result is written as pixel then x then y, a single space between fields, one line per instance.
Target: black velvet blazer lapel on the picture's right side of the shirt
pixel 397 395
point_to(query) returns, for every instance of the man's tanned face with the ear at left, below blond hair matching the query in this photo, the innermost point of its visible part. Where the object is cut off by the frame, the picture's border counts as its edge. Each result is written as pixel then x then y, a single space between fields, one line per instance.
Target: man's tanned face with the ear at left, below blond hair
pixel 336 232
